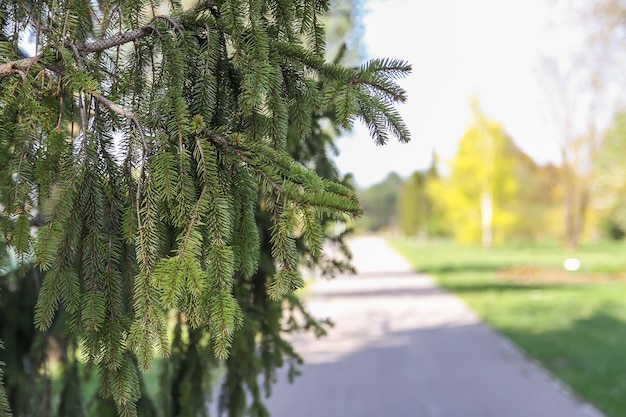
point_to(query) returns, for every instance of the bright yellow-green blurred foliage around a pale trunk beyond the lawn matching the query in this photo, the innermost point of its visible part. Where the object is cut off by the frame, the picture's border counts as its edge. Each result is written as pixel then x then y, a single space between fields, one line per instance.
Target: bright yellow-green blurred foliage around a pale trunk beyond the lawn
pixel 523 194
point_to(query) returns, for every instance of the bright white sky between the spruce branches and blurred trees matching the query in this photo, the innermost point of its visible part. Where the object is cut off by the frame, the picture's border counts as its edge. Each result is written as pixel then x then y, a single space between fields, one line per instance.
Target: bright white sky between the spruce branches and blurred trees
pixel 459 49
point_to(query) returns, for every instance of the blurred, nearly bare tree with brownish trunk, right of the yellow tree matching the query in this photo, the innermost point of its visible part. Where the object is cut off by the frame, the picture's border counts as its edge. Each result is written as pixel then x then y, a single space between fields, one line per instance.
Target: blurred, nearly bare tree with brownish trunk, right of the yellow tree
pixel 584 84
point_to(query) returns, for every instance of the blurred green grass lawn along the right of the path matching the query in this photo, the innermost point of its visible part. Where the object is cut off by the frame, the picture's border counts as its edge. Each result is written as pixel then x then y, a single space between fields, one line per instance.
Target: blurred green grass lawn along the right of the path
pixel 577 331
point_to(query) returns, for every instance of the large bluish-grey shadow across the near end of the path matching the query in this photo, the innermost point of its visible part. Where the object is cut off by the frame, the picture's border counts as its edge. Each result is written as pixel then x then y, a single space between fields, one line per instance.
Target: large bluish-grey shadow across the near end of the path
pixel 451 371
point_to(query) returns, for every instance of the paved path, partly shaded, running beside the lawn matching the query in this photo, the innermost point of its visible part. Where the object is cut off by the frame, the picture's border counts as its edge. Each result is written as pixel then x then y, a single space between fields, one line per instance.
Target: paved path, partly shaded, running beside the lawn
pixel 402 347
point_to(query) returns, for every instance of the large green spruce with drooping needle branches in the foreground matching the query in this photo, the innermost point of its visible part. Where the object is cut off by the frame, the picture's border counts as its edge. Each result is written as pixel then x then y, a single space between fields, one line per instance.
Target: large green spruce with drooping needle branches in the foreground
pixel 157 142
